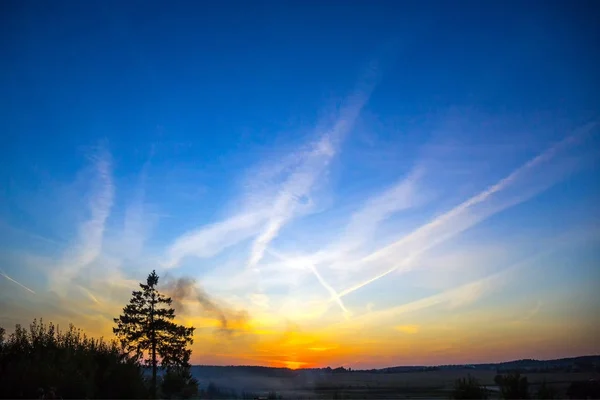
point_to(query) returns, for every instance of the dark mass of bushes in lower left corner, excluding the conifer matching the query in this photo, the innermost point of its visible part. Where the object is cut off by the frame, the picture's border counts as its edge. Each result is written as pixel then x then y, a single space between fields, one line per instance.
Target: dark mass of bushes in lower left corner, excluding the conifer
pixel 71 364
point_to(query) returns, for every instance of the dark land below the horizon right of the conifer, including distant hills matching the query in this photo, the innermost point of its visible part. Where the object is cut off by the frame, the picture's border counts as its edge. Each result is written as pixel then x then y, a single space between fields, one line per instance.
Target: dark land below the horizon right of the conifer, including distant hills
pixel 394 382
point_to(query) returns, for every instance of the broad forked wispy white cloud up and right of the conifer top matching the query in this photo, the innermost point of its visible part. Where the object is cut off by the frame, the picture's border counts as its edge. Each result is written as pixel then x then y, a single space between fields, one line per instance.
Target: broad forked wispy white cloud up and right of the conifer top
pixel 278 193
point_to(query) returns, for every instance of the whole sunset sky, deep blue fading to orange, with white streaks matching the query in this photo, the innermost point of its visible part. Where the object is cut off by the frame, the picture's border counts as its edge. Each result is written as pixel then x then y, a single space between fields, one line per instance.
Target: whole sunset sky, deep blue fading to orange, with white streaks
pixel 355 183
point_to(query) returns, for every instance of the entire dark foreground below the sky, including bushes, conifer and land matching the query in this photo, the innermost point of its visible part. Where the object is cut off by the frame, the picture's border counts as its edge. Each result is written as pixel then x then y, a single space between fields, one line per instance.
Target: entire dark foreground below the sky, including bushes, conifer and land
pixel 149 358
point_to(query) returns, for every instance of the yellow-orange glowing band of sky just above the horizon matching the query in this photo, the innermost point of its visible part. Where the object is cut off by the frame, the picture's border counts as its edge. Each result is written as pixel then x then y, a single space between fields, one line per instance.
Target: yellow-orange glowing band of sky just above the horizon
pixel 412 334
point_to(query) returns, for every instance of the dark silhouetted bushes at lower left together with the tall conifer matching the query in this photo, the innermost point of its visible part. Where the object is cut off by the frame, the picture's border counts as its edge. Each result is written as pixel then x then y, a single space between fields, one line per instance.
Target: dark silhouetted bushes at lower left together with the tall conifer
pixel 45 362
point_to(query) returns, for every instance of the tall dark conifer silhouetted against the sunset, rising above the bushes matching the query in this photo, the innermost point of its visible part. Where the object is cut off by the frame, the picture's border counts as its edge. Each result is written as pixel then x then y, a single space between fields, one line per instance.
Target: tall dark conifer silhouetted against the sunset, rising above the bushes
pixel 146 327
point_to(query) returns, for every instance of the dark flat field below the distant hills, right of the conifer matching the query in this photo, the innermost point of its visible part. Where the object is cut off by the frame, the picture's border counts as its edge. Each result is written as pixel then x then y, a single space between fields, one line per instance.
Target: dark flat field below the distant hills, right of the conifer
pixel 364 385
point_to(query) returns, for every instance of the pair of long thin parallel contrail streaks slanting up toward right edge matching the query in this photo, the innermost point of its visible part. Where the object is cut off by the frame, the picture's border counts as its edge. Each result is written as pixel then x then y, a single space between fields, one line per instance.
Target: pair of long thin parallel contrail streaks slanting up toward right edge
pixel 429 229
